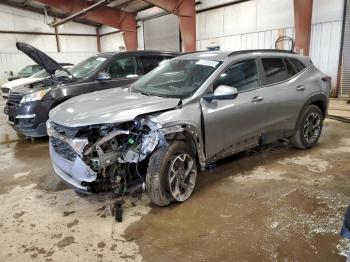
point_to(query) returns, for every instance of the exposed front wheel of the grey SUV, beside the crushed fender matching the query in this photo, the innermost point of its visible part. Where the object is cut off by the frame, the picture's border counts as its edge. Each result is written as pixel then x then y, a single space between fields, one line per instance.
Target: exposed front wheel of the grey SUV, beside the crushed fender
pixel 171 174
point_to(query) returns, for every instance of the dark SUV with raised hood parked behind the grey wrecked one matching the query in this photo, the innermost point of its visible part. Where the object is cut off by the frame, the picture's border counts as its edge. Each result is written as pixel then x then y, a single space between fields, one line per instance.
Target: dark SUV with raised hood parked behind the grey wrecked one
pixel 28 107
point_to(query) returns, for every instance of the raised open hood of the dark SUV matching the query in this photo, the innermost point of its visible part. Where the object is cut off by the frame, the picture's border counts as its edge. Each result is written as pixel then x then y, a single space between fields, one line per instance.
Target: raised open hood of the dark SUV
pixel 40 58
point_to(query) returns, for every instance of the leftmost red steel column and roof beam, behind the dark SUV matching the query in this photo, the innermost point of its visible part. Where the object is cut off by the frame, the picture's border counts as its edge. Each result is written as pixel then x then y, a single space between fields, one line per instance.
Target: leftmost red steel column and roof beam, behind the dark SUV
pixel 113 17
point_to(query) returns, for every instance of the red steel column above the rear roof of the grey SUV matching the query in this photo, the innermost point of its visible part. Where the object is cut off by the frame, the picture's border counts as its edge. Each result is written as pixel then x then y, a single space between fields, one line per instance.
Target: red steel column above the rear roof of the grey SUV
pixel 302 21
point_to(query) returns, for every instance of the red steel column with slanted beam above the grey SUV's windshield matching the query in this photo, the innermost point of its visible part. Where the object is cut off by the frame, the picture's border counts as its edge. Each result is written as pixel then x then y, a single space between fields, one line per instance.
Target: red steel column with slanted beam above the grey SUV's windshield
pixel 186 11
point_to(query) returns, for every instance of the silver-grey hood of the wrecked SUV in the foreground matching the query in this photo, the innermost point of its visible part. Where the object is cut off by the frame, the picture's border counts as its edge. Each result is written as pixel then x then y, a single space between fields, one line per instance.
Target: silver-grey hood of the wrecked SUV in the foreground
pixel 108 106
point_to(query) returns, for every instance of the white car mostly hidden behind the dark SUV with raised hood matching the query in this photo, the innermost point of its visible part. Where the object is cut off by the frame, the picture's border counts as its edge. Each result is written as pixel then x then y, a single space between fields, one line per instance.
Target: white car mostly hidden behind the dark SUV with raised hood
pixel 28 81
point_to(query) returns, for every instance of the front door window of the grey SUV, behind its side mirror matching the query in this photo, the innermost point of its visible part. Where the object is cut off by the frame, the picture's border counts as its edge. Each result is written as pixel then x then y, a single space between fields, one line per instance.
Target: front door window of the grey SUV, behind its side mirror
pixel 242 75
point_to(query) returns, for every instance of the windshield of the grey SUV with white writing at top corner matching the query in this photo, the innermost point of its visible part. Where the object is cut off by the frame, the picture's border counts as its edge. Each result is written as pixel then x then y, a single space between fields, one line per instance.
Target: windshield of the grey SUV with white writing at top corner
pixel 176 78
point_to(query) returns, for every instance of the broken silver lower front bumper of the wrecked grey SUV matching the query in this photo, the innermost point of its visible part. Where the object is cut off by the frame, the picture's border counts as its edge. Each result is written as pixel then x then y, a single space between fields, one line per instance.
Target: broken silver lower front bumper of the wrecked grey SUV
pixel 75 173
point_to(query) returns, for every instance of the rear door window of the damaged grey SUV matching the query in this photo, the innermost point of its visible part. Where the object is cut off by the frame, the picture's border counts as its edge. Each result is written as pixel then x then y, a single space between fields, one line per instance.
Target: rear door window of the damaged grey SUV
pixel 275 70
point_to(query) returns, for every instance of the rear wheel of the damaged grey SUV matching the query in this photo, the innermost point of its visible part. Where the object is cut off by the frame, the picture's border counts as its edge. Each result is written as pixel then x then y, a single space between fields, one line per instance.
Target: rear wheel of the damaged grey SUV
pixel 309 129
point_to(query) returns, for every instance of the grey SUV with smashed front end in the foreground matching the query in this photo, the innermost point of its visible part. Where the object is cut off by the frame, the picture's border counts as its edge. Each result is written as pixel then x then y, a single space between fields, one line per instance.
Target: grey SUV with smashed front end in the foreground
pixel 188 112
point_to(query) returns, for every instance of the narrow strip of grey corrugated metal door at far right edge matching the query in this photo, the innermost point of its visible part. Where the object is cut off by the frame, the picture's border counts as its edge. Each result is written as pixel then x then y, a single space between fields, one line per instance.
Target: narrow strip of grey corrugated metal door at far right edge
pixel 345 76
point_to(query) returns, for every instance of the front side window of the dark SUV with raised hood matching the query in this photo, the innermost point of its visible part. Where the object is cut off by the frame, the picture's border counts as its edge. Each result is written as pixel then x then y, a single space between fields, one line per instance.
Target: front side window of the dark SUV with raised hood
pixel 123 67
